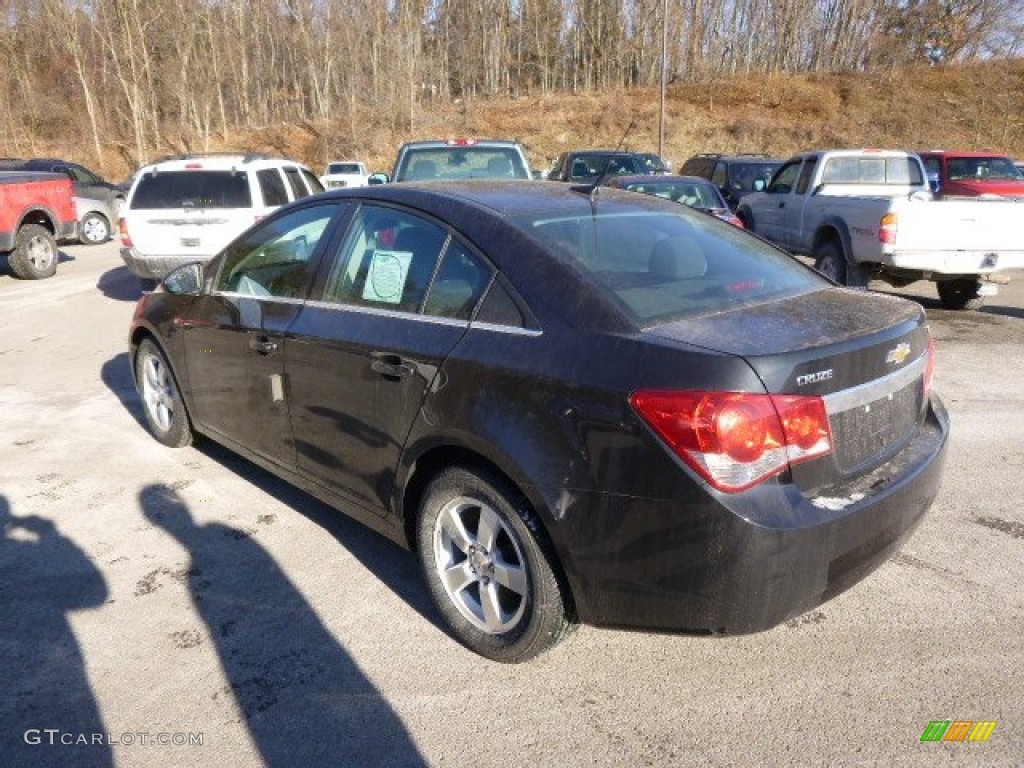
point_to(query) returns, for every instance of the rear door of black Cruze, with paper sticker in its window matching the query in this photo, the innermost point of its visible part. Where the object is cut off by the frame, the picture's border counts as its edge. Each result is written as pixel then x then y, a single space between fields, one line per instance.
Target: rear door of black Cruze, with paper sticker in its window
pixel 390 307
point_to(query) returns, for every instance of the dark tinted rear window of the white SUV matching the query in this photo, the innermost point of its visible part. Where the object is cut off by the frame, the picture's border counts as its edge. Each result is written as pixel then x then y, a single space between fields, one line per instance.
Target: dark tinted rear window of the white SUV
pixel 193 189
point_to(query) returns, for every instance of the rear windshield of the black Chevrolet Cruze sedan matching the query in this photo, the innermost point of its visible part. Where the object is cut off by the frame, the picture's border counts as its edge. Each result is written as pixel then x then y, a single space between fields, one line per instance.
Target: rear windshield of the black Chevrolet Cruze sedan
pixel 660 267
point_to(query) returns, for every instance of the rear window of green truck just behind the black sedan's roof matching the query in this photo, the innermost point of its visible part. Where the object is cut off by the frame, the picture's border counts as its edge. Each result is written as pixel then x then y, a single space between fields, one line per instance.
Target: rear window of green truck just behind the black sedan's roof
pixel 461 163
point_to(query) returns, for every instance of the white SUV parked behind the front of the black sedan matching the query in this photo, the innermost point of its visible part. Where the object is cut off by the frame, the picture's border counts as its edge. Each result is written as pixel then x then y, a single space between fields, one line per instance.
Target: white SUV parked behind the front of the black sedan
pixel 188 208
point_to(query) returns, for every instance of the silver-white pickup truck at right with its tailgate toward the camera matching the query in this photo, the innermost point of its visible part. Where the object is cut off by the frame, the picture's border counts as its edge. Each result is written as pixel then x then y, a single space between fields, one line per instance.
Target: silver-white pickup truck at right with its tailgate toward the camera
pixel 870 214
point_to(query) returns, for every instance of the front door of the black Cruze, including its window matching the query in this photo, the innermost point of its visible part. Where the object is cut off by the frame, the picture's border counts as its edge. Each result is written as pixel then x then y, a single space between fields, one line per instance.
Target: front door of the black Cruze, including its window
pixel 234 338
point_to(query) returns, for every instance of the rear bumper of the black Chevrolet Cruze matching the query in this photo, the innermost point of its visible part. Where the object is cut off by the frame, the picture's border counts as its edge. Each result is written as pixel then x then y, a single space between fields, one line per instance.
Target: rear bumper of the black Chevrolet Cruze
pixel 748 563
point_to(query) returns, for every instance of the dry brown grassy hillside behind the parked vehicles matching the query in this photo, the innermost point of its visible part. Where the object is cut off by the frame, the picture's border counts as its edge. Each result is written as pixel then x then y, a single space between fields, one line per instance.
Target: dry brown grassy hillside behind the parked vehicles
pixel 978 106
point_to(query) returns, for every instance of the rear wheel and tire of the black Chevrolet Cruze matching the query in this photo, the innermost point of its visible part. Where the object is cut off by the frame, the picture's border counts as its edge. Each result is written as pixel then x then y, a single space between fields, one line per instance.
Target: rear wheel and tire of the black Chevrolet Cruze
pixel 486 570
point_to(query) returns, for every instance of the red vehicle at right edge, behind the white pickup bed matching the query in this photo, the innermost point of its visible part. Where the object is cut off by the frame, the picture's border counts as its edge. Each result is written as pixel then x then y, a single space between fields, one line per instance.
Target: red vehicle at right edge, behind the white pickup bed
pixel 972 175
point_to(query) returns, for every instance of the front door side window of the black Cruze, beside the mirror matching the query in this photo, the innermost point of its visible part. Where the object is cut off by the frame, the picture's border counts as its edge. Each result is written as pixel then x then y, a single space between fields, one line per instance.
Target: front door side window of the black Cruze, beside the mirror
pixel 276 260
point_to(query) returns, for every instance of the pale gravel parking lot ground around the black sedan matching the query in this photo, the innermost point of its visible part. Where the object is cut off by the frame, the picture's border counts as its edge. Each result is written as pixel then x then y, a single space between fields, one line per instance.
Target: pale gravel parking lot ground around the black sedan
pixel 130 574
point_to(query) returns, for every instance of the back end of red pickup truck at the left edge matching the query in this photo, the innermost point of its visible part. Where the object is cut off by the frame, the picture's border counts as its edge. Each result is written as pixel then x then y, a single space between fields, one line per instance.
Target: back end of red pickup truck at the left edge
pixel 36 210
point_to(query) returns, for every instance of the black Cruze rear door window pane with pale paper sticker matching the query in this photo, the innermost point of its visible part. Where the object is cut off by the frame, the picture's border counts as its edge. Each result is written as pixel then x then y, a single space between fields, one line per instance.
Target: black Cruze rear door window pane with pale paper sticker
pixel 388 261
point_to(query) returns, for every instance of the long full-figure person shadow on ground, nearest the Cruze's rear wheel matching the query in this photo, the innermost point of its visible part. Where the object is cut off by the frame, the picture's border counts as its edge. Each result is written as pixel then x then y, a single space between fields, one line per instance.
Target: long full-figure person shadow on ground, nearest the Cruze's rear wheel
pixel 304 698
